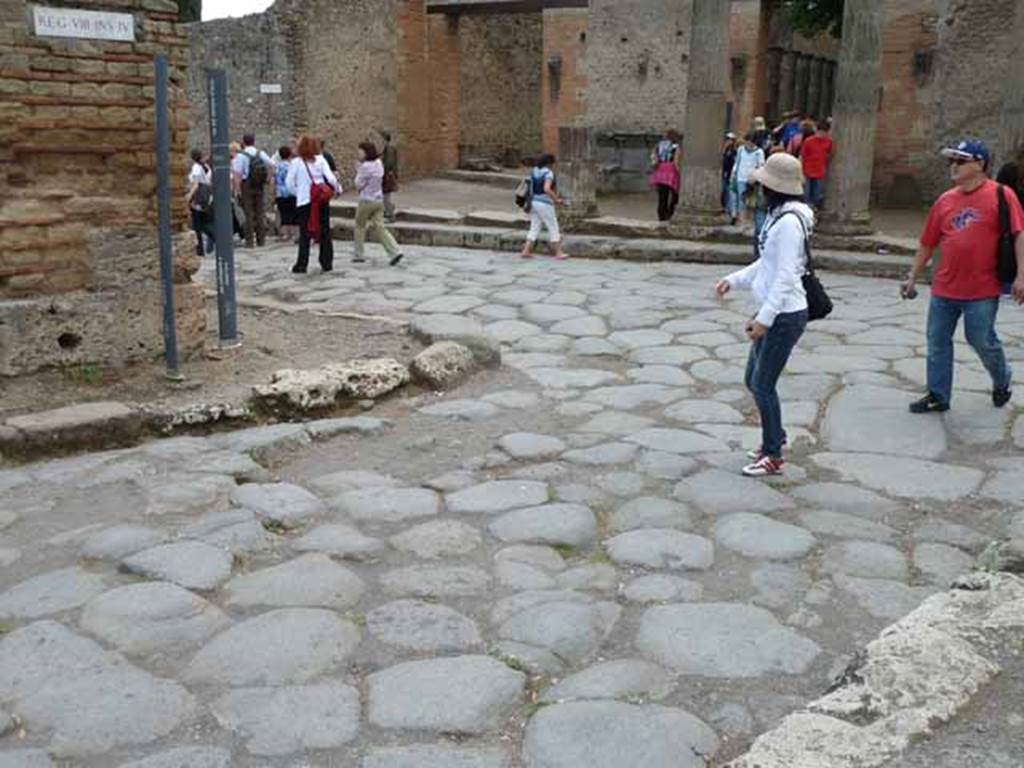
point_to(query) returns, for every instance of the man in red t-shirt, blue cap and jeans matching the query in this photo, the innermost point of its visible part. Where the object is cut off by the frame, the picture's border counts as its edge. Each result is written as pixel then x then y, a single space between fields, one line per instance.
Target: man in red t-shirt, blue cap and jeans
pixel 965 225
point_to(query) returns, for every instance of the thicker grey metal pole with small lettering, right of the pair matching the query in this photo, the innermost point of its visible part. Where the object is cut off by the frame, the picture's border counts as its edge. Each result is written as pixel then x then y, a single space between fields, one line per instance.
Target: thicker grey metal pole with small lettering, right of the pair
pixel 228 311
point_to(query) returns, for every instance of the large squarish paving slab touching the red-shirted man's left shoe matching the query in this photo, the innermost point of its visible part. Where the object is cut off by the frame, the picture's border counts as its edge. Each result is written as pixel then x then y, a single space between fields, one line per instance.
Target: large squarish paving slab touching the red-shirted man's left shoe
pixel 876 420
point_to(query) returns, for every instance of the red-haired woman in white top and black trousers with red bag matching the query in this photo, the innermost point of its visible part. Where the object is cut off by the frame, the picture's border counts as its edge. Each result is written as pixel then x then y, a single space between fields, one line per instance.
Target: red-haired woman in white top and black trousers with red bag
pixel 314 184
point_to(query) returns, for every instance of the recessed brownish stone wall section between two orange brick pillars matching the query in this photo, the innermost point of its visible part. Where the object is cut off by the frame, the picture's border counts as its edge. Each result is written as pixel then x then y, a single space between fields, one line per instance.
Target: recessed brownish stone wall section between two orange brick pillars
pixel 502 66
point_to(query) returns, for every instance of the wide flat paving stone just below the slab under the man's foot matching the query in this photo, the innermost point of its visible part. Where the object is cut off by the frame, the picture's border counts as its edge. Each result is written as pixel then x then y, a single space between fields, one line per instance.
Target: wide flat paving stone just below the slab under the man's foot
pixel 905 477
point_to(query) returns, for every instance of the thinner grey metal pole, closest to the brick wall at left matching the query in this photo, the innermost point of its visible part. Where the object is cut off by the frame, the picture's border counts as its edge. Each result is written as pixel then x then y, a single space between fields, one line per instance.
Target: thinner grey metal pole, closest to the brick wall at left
pixel 164 218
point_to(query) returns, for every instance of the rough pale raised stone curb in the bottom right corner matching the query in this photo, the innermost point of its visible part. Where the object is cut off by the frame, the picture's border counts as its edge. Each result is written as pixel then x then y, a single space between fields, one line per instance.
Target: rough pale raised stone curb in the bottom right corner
pixel 917 675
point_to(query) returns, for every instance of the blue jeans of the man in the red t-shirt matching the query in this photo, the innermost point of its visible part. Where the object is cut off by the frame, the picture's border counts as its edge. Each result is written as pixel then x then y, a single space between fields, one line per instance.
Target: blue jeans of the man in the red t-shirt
pixel 979 327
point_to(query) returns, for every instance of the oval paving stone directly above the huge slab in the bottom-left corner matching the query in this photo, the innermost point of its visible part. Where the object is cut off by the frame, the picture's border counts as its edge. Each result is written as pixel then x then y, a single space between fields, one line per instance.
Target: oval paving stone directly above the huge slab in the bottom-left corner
pixel 152 618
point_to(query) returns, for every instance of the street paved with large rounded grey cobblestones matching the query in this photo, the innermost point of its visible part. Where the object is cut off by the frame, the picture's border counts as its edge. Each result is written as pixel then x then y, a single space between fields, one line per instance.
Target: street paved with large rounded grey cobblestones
pixel 556 566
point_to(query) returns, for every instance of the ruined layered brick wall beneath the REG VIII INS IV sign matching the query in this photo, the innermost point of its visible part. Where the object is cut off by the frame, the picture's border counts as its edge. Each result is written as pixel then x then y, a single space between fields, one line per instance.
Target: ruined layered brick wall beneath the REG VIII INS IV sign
pixel 79 268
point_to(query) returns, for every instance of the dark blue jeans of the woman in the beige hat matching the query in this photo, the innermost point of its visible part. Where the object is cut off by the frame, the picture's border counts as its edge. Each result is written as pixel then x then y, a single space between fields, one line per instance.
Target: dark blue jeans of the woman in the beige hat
pixel 769 358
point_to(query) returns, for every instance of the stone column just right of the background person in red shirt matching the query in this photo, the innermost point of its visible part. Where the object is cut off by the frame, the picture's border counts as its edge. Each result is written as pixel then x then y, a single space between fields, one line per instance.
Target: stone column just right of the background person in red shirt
pixel 849 191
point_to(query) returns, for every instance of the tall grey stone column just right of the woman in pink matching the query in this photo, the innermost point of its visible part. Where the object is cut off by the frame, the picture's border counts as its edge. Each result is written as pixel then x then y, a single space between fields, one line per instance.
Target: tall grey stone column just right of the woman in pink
pixel 708 83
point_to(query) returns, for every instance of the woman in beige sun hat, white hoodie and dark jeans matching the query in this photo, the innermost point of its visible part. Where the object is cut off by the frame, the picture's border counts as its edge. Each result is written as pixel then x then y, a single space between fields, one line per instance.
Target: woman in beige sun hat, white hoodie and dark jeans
pixel 777 282
